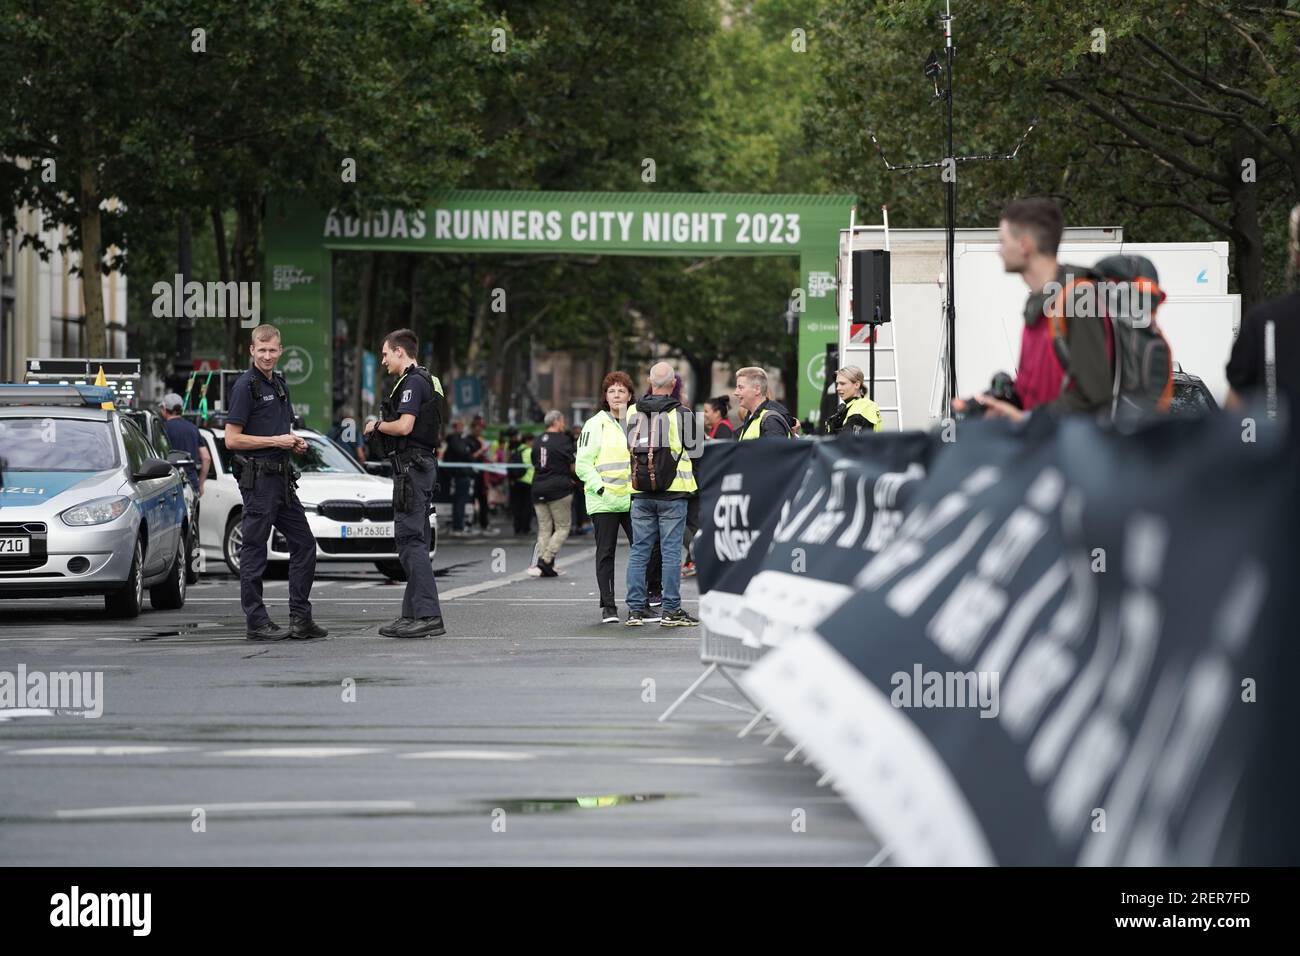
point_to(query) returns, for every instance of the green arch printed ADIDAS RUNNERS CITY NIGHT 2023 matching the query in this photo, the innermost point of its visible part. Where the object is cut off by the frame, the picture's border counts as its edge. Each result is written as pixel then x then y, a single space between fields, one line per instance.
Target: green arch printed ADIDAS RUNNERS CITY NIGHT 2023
pixel 300 241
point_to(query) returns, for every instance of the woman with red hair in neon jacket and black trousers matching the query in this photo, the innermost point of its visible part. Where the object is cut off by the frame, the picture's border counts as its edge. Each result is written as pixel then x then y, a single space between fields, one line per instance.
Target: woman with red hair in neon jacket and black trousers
pixel 605 469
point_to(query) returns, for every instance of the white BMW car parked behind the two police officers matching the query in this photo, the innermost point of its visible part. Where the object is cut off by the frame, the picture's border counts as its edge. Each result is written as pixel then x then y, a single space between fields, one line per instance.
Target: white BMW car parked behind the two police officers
pixel 349 511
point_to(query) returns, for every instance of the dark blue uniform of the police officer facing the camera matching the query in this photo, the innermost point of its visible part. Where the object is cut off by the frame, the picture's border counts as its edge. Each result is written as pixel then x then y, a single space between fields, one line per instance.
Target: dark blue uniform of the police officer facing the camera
pixel 271 500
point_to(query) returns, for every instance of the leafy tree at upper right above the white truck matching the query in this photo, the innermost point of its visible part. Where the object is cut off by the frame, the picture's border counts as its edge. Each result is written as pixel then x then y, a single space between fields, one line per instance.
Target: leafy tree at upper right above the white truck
pixel 1146 115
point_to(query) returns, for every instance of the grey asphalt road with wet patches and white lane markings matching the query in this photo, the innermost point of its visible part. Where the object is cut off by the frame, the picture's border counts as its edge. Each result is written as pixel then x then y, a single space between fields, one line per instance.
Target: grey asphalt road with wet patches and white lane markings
pixel 522 737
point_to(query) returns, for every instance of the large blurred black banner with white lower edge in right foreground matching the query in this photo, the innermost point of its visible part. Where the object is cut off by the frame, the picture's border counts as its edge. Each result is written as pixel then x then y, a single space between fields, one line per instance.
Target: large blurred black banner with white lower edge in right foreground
pixel 1069 654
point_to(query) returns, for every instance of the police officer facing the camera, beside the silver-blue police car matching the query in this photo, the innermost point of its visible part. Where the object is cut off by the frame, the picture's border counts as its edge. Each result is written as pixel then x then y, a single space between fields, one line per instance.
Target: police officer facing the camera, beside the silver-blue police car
pixel 259 434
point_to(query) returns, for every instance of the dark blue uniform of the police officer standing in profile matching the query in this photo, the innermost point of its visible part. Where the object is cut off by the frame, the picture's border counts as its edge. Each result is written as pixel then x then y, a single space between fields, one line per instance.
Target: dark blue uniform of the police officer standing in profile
pixel 411 527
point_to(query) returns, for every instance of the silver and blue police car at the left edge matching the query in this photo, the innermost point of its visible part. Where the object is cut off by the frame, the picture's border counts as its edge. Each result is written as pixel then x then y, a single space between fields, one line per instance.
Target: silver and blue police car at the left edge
pixel 88 507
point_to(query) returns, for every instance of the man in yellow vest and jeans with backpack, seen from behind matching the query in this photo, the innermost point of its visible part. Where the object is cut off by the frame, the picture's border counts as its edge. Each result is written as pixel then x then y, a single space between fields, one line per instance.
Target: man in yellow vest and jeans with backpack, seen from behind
pixel 661 435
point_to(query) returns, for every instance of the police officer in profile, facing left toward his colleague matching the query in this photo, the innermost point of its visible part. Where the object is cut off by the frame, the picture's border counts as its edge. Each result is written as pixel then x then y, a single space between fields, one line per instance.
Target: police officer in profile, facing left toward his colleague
pixel 409 431
